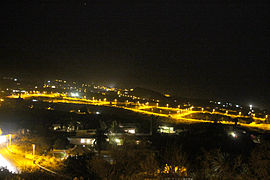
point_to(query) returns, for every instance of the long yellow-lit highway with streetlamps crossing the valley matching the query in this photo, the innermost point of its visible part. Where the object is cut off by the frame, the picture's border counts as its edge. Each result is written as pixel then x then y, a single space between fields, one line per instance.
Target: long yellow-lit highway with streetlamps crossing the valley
pixel 174 113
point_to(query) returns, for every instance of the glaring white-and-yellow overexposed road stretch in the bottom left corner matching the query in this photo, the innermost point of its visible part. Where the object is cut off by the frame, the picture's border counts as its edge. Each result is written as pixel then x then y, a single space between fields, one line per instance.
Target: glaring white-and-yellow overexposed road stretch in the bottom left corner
pixel 14 162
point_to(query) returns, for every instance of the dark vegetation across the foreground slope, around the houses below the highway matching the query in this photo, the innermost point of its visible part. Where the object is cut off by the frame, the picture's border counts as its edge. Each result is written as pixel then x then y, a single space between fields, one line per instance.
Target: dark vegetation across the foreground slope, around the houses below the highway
pixel 200 151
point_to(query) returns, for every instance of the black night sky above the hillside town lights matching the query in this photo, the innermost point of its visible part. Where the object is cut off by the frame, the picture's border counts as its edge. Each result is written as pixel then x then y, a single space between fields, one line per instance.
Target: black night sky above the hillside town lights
pixel 204 49
